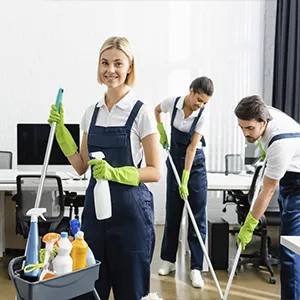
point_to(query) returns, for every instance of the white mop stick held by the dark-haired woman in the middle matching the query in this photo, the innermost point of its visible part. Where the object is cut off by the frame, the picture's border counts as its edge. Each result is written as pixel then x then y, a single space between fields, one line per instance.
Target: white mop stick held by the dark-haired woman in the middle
pixel 195 226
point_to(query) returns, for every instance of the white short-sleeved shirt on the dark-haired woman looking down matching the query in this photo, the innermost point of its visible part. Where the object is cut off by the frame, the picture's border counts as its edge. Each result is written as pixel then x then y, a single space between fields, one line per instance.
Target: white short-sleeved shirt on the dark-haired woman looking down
pixel 180 122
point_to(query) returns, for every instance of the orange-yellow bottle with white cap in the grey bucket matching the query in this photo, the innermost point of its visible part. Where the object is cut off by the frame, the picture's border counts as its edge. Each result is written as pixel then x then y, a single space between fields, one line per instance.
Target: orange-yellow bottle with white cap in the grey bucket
pixel 79 251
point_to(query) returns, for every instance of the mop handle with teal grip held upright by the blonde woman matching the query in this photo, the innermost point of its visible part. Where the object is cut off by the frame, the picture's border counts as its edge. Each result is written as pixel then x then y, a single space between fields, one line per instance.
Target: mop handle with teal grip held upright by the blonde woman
pixel 48 152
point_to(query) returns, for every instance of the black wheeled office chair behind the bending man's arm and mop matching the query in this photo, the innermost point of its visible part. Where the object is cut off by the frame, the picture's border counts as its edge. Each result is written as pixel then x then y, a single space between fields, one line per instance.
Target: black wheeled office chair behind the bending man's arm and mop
pixel 270 217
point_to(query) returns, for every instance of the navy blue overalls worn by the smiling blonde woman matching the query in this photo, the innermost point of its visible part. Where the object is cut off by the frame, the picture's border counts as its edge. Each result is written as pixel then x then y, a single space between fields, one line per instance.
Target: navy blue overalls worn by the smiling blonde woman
pixel 124 243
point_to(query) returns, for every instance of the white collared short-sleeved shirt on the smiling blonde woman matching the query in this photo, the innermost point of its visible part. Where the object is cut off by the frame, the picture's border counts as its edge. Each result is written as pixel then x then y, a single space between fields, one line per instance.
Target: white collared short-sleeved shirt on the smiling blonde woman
pixel 143 124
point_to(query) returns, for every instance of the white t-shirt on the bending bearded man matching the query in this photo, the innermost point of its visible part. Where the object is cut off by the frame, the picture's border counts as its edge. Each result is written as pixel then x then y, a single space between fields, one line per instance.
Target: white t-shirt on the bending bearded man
pixel 283 155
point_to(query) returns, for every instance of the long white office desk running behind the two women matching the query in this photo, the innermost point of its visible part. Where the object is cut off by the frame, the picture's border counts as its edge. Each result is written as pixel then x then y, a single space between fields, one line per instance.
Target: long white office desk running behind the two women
pixel 216 182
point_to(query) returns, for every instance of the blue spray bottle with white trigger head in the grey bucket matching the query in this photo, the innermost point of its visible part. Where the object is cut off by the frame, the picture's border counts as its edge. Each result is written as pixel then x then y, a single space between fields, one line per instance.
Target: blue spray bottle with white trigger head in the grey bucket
pixel 33 251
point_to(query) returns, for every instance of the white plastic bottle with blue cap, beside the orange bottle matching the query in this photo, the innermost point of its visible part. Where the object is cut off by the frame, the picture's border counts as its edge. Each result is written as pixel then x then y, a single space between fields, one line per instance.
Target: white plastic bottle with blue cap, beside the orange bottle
pixel 63 262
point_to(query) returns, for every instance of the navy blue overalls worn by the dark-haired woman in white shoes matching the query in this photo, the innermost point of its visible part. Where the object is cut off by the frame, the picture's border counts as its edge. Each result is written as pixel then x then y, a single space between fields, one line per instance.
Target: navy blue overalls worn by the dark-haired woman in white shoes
pixel 197 187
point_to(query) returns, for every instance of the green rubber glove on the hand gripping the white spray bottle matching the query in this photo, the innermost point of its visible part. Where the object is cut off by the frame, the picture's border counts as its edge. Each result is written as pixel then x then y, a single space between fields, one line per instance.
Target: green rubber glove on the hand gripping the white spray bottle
pixel 125 175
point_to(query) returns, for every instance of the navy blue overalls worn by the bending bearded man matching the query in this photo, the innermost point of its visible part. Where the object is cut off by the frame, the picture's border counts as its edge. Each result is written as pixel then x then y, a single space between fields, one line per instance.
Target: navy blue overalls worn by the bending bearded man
pixel 289 204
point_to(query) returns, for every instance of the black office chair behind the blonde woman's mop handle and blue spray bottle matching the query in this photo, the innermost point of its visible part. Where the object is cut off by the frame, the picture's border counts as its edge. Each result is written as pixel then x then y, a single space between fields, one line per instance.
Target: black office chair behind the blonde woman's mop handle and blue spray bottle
pixel 52 199
